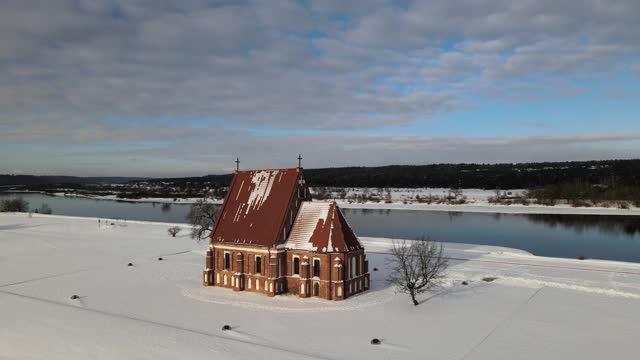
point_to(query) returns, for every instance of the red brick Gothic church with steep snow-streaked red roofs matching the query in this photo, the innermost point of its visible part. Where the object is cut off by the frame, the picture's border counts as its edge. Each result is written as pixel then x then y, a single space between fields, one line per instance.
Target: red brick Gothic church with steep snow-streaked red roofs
pixel 270 238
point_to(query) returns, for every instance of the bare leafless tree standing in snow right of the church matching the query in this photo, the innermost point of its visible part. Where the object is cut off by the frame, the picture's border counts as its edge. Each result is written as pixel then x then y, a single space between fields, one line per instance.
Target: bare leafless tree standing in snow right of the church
pixel 416 266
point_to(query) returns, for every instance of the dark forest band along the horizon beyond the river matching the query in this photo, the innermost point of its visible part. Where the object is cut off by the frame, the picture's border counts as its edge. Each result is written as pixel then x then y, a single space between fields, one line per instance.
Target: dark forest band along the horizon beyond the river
pixel 549 181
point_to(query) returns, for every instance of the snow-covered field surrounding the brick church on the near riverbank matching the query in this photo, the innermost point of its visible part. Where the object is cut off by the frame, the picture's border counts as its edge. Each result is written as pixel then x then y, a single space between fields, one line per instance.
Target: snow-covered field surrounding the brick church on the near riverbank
pixel 537 308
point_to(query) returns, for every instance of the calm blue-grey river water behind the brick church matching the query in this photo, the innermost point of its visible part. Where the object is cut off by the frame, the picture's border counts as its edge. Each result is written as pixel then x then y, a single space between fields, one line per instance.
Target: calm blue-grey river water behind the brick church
pixel 569 236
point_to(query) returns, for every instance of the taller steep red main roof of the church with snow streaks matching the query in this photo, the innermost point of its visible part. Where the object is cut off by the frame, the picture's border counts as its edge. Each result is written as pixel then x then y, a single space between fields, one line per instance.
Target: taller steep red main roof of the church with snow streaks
pixel 255 205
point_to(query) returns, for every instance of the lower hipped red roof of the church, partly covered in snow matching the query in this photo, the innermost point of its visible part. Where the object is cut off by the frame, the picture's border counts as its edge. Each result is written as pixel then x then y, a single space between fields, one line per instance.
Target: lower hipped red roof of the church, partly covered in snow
pixel 321 227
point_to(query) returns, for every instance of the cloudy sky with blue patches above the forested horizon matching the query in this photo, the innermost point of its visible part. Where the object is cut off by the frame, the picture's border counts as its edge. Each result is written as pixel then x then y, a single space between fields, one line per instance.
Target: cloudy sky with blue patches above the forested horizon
pixel 173 88
